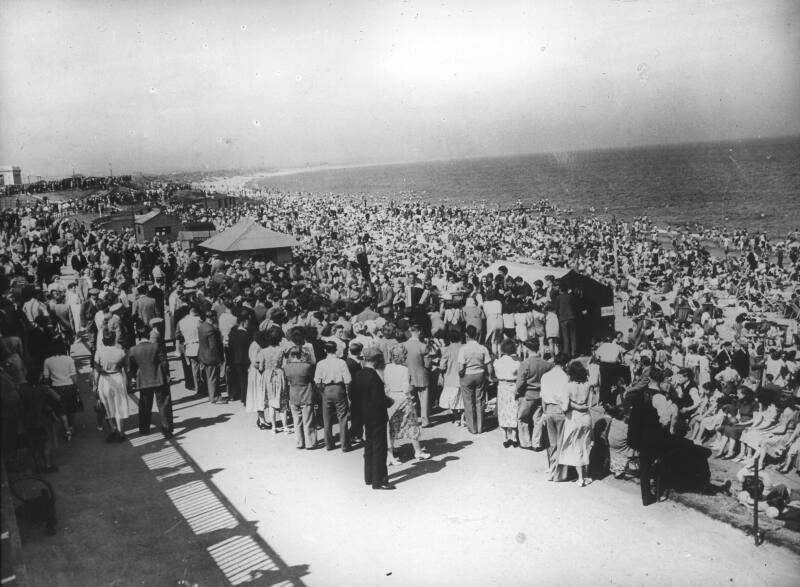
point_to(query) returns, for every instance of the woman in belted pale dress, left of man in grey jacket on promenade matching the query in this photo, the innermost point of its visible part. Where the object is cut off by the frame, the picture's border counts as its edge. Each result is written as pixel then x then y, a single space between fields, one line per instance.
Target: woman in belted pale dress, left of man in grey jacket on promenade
pixel 110 384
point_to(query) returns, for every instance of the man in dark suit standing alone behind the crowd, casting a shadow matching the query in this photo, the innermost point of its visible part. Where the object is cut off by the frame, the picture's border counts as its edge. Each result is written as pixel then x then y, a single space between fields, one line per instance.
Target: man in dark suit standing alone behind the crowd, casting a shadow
pixel 371 405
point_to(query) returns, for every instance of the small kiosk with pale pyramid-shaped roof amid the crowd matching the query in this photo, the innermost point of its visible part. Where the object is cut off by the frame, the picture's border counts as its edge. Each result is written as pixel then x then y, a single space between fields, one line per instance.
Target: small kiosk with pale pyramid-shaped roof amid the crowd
pixel 248 239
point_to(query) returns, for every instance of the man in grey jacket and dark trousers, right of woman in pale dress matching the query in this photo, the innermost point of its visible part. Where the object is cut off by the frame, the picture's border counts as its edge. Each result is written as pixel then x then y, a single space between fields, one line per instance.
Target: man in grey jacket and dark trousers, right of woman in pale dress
pixel 147 363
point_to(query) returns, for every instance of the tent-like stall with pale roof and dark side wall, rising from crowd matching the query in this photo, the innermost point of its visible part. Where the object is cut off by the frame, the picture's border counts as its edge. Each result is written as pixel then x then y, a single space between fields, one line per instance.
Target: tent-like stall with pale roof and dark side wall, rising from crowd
pixel 595 298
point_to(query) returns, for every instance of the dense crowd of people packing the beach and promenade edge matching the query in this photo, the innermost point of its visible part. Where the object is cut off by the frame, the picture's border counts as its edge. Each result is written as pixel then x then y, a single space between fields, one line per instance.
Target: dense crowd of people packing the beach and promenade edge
pixel 402 283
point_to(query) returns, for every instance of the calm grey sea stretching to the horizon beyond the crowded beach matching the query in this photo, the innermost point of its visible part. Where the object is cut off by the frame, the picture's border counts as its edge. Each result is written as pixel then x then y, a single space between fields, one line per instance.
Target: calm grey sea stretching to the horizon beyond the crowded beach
pixel 744 184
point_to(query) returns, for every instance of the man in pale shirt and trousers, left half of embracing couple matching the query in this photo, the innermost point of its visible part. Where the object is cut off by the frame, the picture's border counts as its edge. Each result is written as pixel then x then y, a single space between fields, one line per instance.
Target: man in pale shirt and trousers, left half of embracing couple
pixel 555 401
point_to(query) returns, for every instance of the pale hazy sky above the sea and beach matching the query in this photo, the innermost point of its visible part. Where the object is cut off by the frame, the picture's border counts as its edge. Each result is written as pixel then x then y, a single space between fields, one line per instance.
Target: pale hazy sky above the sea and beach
pixel 180 85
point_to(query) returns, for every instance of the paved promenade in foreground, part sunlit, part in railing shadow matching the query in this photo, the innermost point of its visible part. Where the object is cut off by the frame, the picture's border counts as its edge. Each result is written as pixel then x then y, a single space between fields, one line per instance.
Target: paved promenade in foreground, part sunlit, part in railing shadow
pixel 226 503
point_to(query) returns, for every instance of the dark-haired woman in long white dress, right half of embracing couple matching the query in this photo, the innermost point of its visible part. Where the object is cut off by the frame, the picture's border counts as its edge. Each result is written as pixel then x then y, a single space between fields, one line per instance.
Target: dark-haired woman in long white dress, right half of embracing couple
pixel 577 435
